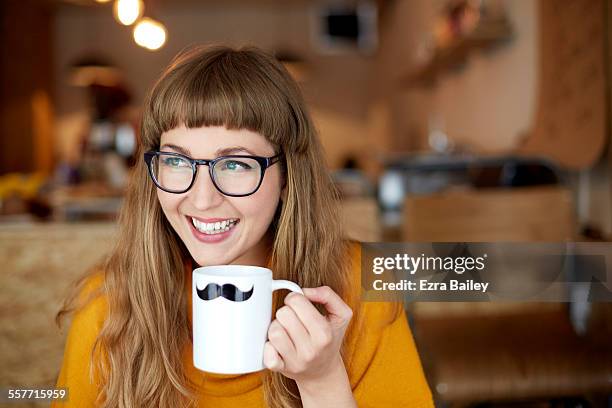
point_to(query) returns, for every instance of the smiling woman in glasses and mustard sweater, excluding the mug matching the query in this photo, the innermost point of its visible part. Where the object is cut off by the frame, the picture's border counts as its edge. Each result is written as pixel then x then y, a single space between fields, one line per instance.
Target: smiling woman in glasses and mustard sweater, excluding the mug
pixel 266 199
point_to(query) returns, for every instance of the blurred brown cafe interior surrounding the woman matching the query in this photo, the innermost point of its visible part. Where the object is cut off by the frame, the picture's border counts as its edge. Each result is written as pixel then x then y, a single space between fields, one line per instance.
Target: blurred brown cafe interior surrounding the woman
pixel 442 120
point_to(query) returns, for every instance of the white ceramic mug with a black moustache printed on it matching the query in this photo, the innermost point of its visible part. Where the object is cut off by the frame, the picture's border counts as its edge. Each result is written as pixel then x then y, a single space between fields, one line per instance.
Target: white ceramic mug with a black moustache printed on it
pixel 232 311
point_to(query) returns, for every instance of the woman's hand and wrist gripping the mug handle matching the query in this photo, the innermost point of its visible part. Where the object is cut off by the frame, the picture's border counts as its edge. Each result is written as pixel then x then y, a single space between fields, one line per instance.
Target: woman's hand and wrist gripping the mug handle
pixel 305 345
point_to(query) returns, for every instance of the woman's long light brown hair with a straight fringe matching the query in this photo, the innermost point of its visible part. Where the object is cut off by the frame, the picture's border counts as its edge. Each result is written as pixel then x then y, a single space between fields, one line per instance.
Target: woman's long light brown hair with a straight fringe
pixel 147 325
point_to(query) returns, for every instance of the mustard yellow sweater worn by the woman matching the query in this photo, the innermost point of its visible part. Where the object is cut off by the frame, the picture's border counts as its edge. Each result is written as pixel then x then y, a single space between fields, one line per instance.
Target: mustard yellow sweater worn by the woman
pixel 384 368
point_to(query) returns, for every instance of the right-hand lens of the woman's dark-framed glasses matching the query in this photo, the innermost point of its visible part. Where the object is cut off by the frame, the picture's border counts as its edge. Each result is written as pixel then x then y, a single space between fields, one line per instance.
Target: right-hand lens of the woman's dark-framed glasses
pixel 237 176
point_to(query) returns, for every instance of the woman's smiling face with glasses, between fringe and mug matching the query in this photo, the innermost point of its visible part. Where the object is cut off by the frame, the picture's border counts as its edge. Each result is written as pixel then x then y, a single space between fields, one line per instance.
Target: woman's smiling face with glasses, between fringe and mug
pixel 214 207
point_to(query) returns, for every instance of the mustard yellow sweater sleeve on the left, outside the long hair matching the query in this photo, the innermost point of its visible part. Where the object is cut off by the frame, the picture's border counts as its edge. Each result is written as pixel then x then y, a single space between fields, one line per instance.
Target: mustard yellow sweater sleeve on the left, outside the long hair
pixel 74 374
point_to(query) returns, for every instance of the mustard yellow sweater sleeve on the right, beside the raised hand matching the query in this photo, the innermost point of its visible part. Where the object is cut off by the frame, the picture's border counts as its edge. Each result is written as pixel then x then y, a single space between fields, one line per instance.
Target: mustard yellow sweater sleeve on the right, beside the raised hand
pixel 384 367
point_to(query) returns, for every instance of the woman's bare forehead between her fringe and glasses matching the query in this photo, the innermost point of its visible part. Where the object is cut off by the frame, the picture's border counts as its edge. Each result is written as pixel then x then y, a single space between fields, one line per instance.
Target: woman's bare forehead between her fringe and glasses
pixel 205 141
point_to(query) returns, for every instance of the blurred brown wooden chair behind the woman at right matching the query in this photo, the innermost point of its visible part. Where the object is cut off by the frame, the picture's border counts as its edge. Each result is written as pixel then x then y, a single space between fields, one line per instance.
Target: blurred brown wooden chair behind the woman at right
pixel 477 352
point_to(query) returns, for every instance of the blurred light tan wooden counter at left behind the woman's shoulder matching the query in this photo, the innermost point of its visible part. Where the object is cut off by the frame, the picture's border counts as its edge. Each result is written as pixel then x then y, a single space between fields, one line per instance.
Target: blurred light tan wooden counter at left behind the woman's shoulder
pixel 39 262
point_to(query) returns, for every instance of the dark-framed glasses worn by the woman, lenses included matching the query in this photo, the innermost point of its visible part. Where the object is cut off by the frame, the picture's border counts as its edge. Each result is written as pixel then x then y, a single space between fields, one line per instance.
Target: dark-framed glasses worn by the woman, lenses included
pixel 234 175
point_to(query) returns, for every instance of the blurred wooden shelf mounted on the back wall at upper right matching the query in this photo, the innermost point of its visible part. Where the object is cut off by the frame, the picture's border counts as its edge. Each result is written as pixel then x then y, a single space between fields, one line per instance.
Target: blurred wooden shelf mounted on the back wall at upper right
pixel 485 36
